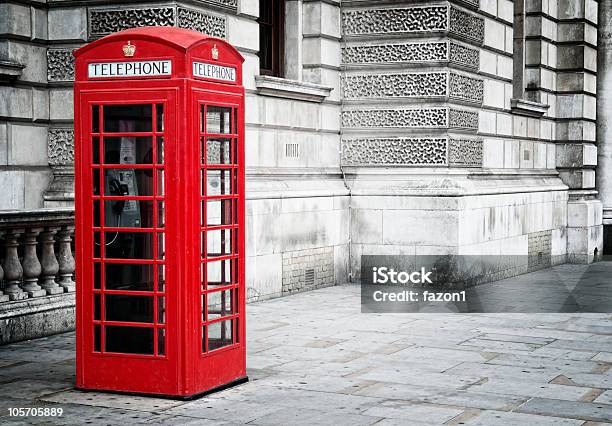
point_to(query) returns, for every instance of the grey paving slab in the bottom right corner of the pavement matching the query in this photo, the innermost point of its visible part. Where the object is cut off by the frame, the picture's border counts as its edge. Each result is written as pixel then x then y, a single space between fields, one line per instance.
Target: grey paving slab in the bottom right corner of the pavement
pixel 574 410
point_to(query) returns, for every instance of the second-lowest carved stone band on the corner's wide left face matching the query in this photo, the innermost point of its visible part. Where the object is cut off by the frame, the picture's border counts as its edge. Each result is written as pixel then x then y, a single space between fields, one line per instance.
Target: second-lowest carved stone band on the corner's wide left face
pixel 425 117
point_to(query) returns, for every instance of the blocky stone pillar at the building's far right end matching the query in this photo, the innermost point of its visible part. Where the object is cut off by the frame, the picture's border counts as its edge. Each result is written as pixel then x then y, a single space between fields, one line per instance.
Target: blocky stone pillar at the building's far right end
pixel 576 126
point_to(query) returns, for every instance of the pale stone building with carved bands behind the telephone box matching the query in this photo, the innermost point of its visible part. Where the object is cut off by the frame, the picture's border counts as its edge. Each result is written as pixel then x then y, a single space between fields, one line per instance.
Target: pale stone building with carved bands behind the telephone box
pixel 373 127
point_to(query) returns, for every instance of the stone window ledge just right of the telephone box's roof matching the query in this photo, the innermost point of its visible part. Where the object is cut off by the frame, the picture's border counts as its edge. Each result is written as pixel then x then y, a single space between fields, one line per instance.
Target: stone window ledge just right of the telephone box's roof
pixel 290 89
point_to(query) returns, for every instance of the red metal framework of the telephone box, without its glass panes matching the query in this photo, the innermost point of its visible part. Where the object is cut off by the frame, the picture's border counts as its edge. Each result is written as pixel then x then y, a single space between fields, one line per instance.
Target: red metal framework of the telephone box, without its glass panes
pixel 185 363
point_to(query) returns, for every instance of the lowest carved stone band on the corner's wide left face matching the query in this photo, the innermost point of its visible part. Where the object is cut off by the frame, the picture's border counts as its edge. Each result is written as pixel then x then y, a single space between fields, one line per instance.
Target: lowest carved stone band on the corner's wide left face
pixel 395 151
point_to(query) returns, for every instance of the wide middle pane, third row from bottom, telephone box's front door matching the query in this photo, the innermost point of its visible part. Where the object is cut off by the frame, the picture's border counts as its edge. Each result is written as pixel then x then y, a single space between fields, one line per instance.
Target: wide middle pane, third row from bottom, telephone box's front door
pixel 128 277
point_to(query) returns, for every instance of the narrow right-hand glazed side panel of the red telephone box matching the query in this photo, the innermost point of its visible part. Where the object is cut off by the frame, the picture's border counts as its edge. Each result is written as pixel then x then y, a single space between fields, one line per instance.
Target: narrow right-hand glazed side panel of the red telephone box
pixel 221 206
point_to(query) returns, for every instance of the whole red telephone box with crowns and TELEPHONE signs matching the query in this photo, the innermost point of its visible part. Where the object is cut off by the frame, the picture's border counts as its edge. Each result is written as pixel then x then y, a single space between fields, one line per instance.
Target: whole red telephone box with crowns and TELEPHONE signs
pixel 159 124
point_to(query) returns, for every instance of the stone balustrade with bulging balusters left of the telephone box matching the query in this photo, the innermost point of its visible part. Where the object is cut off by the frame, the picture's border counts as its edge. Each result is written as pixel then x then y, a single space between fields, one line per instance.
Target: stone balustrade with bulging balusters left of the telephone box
pixel 36 257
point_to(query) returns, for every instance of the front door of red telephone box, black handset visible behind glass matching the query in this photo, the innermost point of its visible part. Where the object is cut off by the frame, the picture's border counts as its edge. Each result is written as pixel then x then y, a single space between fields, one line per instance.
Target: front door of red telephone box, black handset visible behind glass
pixel 128 314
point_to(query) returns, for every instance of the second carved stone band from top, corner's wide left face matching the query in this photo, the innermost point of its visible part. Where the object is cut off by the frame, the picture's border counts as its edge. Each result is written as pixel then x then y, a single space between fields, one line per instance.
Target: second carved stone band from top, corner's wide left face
pixel 408 52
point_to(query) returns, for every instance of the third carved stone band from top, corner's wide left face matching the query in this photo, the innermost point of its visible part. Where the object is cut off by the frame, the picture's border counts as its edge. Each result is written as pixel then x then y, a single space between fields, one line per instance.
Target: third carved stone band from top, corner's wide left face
pixel 429 84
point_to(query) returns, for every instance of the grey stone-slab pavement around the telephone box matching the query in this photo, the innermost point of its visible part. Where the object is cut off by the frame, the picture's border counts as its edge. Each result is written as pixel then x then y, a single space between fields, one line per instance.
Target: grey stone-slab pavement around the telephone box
pixel 314 359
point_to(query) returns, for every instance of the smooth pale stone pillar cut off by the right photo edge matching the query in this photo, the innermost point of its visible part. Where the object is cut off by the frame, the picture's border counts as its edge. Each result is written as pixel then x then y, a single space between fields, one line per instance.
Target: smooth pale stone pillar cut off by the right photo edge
pixel 604 118
